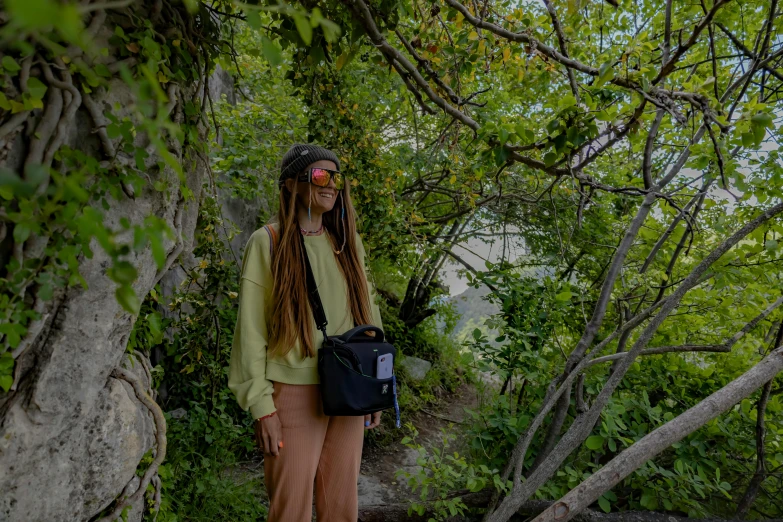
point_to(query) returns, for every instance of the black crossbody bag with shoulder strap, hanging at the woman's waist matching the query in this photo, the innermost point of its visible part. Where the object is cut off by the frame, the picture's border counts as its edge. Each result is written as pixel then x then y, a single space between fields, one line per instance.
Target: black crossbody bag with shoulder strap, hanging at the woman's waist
pixel 347 365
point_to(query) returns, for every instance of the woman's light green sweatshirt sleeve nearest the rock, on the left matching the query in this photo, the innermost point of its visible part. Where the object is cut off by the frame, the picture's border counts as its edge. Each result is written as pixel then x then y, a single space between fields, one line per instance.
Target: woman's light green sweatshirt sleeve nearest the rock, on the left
pixel 247 365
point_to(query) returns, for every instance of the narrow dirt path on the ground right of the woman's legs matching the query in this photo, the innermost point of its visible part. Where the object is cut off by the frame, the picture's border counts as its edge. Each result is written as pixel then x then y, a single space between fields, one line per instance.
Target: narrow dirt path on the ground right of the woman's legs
pixel 378 485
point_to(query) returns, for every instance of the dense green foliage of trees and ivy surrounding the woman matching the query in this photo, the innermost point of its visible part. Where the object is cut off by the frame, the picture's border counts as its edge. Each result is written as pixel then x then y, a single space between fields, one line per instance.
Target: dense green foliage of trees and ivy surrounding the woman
pixel 618 146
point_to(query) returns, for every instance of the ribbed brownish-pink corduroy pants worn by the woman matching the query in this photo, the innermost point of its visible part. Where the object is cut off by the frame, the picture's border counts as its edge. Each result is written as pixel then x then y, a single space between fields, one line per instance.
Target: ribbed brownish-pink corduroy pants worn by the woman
pixel 318 451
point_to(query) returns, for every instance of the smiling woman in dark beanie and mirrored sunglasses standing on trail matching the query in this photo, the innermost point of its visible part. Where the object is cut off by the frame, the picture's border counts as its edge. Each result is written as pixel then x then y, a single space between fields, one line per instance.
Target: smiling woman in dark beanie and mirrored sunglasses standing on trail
pixel 273 369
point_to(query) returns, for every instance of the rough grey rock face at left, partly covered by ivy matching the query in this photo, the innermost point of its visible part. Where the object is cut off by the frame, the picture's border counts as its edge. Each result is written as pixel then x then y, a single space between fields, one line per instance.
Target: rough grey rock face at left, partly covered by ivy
pixel 71 436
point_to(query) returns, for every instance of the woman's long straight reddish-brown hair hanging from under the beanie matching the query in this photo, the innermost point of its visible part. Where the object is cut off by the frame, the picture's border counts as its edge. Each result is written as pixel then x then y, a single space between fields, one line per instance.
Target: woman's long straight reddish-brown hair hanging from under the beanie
pixel 290 317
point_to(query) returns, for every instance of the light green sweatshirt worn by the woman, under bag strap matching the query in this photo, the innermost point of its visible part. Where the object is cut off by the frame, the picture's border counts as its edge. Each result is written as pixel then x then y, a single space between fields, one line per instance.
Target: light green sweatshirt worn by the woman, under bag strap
pixel 251 371
